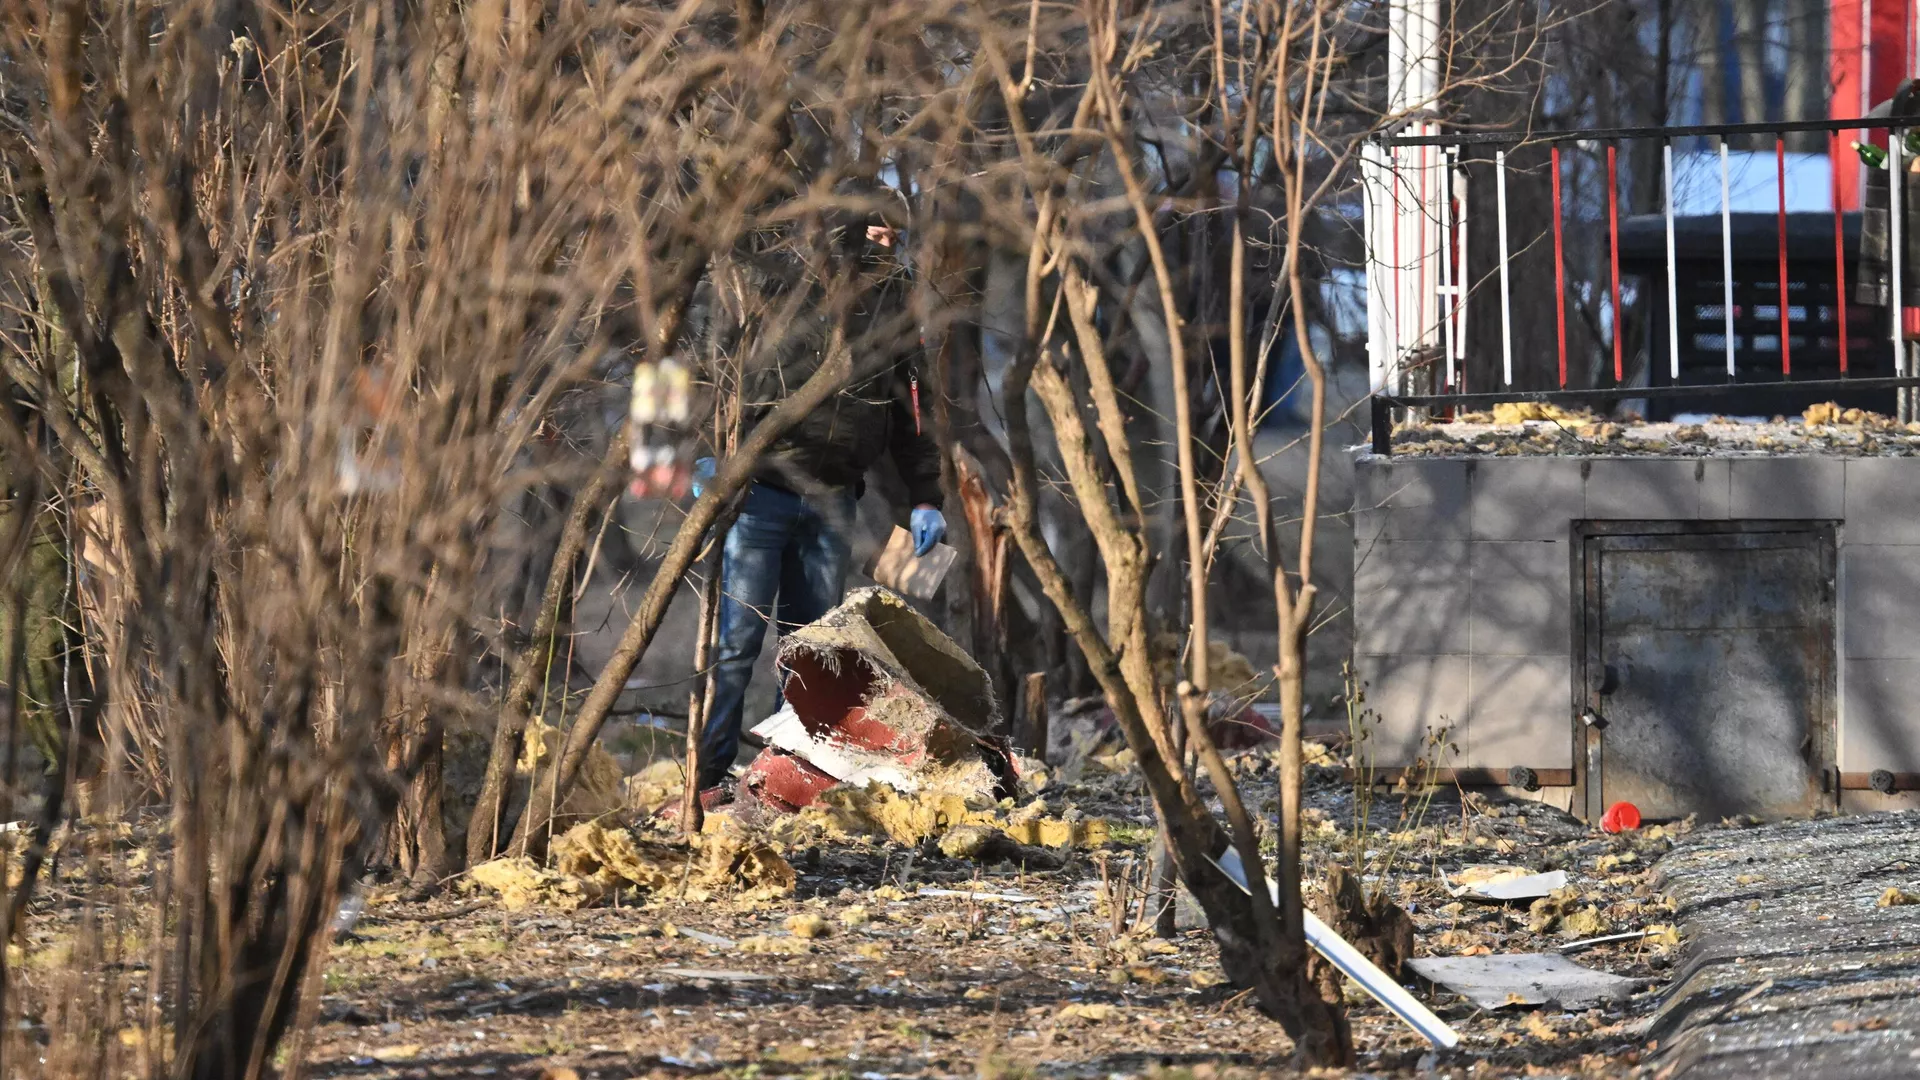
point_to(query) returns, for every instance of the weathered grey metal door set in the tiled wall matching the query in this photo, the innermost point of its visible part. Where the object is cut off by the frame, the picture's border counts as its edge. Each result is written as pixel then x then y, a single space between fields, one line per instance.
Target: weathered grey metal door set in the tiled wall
pixel 1706 668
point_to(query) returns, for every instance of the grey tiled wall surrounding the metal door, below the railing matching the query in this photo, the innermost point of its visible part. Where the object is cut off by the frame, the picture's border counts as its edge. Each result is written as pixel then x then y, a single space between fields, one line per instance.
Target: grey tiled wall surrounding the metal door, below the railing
pixel 1464 591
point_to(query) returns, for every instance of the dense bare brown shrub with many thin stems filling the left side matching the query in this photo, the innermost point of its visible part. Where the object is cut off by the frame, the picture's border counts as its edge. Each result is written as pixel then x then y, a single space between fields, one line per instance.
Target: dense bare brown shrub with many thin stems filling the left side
pixel 308 293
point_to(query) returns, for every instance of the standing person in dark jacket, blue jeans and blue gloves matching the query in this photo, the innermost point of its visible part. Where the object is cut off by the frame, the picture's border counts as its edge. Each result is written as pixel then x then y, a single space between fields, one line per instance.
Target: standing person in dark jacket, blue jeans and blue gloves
pixel 788 554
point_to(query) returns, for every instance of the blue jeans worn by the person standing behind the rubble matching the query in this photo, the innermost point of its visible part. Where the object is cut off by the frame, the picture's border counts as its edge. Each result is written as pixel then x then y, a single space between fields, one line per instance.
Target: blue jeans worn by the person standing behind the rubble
pixel 786 564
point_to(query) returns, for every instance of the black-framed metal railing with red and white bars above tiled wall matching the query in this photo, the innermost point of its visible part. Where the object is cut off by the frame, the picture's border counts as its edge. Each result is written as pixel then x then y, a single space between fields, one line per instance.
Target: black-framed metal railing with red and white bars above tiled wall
pixel 1420 274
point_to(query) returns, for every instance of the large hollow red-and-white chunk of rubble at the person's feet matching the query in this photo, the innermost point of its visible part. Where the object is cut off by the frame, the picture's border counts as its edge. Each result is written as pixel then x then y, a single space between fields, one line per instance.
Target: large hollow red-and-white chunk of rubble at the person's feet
pixel 876 693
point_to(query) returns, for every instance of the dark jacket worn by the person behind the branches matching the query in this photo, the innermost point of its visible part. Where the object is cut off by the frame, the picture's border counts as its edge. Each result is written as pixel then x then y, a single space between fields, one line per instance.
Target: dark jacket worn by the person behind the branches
pixel 840 441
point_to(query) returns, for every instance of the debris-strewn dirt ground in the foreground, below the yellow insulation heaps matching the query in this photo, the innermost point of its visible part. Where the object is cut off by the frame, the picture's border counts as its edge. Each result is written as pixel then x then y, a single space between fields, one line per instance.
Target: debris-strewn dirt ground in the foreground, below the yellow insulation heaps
pixel 1020 979
